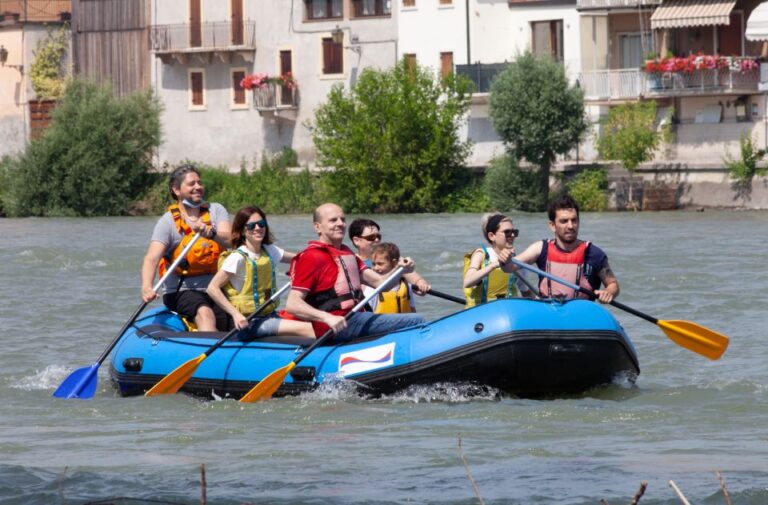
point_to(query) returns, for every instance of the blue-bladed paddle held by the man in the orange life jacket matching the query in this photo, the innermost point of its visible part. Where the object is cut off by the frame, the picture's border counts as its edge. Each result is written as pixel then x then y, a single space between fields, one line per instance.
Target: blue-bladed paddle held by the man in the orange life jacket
pixel 82 382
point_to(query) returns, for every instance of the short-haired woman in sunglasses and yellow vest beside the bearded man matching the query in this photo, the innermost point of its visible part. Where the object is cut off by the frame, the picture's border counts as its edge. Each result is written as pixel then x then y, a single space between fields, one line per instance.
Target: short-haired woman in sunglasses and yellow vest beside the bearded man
pixel 484 278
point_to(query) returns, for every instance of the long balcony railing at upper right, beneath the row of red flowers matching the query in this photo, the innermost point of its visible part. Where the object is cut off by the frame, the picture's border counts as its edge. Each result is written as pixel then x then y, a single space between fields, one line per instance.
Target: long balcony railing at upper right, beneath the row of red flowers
pixel 631 83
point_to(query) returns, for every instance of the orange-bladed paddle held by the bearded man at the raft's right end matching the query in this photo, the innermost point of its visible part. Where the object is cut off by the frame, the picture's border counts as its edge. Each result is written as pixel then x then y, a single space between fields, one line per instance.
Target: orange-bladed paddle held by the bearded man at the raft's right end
pixel 692 336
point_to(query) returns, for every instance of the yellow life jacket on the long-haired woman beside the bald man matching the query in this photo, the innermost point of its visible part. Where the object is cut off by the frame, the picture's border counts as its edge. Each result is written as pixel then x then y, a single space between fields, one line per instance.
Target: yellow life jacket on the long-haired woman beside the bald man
pixel 259 273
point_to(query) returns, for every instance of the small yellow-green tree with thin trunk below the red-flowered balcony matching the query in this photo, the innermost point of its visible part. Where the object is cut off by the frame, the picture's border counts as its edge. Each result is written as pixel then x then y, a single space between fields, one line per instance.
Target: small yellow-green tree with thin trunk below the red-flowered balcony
pixel 630 135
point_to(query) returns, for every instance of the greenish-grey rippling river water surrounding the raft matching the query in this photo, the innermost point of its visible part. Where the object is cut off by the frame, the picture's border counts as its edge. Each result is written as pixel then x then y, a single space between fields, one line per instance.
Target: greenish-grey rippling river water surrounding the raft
pixel 70 284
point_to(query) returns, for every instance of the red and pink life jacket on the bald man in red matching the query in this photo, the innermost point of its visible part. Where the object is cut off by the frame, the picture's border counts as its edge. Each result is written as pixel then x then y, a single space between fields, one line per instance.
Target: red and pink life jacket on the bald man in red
pixel 347 290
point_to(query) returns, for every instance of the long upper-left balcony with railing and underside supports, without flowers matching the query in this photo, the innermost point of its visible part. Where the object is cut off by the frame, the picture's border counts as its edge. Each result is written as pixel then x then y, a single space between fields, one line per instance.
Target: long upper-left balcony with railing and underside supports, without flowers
pixel 223 39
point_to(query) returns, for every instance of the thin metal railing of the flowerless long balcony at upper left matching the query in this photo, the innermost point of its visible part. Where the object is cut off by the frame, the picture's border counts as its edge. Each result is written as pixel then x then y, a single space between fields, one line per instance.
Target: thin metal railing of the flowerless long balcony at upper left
pixel 190 37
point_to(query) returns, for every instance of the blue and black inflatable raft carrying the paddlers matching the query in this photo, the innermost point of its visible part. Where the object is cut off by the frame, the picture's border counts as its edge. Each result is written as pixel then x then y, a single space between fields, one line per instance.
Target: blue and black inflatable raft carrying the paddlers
pixel 521 347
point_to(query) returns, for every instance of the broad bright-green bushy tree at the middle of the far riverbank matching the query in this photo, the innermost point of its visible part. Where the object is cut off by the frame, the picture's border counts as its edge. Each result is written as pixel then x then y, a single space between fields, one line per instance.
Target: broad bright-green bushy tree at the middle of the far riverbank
pixel 393 140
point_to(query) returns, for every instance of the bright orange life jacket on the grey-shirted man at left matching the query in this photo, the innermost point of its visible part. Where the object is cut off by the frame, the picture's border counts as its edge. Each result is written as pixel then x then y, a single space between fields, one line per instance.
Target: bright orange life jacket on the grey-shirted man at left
pixel 202 258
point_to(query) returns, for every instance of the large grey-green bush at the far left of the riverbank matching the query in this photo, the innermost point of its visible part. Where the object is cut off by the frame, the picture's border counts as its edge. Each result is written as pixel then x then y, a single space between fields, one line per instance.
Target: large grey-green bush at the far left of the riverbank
pixel 93 159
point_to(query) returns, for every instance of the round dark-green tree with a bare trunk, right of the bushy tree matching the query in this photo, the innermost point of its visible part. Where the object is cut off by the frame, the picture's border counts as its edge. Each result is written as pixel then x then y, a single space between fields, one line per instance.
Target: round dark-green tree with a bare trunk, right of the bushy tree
pixel 537 113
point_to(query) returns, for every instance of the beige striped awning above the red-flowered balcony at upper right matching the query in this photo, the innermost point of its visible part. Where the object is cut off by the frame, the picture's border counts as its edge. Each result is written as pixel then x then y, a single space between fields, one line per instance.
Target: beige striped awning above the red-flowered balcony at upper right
pixel 683 13
